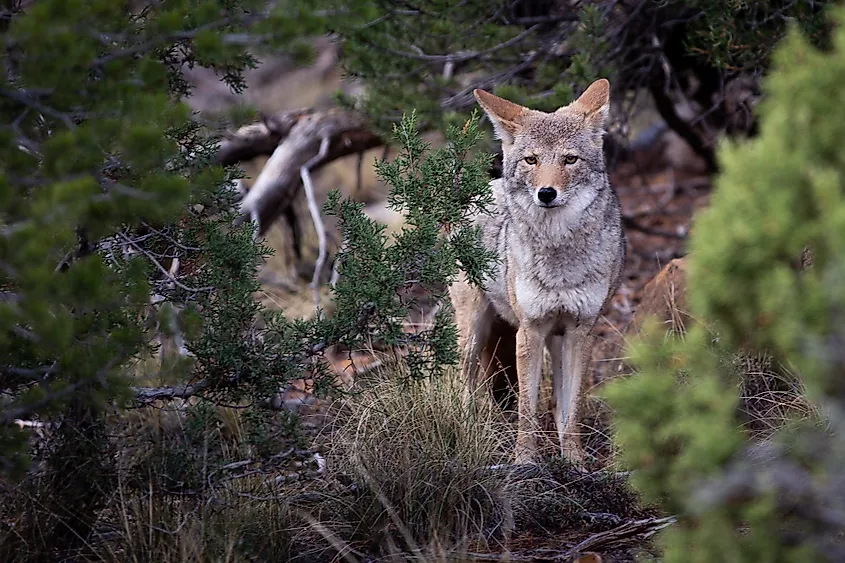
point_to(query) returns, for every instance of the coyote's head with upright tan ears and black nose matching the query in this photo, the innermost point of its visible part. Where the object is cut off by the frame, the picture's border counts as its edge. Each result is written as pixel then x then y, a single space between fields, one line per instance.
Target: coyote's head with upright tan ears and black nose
pixel 552 159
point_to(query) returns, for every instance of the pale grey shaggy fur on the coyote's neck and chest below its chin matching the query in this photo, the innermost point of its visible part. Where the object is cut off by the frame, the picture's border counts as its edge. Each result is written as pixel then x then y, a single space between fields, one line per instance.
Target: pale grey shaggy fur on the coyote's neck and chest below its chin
pixel 556 267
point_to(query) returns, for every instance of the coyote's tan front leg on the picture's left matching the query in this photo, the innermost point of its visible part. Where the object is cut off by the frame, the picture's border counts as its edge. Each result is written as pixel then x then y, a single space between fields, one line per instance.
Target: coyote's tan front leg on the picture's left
pixel 529 366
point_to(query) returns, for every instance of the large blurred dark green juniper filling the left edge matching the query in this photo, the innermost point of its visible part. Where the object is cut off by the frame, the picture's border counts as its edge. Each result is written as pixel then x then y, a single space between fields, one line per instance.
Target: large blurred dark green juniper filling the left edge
pixel 105 181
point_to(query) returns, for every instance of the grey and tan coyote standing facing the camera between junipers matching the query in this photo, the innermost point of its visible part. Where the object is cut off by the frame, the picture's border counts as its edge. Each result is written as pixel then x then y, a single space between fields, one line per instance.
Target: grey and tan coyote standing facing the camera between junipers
pixel 558 233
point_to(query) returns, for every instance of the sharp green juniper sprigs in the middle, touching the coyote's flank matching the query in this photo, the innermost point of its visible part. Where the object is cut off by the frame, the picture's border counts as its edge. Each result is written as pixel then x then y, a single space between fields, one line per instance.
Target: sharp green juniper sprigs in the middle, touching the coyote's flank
pixel 438 192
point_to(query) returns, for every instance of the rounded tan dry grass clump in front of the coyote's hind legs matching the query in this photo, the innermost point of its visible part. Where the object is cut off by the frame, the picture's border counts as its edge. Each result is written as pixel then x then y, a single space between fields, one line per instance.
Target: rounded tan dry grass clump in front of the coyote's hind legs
pixel 416 457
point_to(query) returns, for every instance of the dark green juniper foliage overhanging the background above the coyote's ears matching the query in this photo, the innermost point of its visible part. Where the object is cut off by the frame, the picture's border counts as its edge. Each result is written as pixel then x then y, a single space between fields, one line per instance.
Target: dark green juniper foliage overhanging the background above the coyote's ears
pixel 431 54
